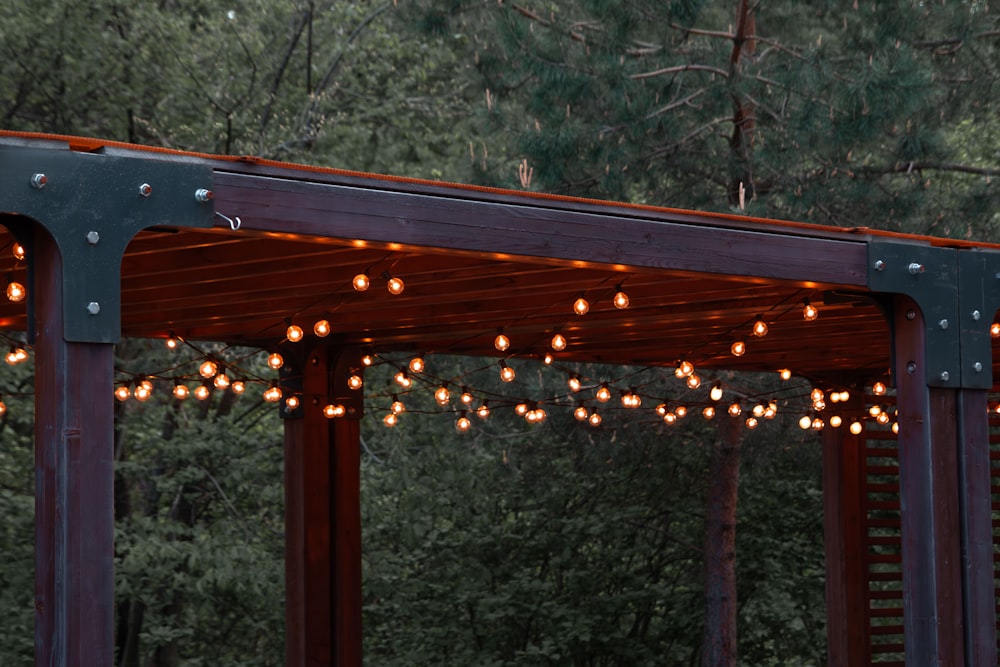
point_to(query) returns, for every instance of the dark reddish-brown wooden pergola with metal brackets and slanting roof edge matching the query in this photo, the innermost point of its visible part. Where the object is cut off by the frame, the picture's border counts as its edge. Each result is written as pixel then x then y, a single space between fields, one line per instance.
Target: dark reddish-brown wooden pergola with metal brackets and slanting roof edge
pixel 131 241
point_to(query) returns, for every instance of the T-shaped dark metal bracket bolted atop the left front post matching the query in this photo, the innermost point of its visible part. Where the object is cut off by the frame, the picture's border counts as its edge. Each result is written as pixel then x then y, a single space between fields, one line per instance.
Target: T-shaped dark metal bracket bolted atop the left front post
pixel 93 205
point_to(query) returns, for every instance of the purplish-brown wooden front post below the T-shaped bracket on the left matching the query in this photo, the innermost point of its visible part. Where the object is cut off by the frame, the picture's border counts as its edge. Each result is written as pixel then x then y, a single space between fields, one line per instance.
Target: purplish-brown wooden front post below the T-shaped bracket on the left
pixel 74 481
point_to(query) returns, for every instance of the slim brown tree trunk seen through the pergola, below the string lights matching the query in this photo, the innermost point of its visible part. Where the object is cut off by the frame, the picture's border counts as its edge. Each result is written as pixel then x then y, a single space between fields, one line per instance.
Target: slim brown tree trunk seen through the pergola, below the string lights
pixel 719 643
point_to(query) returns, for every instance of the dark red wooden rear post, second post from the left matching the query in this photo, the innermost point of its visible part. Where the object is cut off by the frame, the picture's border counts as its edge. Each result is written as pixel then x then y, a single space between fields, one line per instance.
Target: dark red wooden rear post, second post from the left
pixel 323 516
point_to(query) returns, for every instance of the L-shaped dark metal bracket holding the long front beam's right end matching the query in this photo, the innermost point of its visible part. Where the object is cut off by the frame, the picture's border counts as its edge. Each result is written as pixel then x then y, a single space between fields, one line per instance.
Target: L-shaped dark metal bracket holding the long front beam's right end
pixel 928 275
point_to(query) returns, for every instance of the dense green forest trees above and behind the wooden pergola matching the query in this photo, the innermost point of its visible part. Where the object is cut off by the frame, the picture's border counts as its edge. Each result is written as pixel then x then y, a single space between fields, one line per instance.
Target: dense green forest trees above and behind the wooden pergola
pixel 556 544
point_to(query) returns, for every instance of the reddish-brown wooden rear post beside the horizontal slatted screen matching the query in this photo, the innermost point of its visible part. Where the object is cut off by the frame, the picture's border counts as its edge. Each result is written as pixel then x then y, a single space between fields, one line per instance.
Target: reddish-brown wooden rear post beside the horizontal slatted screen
pixel 843 526
